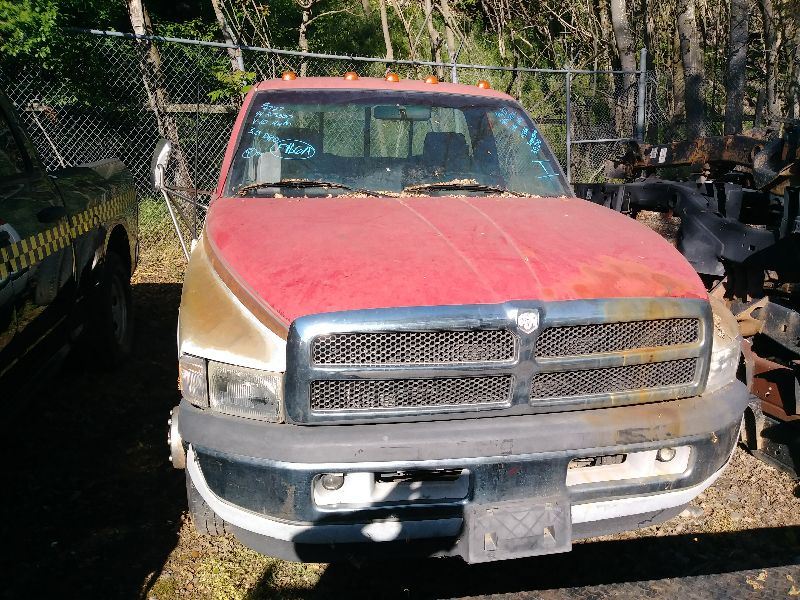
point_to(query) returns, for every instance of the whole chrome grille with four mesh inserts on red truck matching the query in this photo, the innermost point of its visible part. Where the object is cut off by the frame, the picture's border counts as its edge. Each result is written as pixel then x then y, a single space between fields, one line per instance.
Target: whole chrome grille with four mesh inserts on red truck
pixel 389 363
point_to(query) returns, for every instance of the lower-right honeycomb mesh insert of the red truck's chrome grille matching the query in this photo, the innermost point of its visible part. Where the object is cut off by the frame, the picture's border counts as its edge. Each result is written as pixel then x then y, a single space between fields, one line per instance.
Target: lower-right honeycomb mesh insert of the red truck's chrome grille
pixel 613 379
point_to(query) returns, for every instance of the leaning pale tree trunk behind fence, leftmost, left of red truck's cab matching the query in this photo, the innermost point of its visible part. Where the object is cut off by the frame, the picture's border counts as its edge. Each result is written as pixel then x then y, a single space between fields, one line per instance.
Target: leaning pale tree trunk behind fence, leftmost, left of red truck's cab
pixel 150 66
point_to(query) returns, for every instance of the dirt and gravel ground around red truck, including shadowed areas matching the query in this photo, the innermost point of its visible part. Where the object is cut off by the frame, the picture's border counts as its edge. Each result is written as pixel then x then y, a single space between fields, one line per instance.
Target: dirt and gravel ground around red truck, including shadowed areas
pixel 93 508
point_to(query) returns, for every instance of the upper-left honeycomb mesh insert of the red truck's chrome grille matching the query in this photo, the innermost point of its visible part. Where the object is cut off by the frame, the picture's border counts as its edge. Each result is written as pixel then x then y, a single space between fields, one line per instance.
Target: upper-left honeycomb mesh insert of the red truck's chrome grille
pixel 414 347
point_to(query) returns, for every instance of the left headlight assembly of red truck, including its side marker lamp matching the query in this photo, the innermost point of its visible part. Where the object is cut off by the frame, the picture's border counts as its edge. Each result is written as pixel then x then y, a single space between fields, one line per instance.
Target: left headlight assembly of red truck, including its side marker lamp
pixel 232 390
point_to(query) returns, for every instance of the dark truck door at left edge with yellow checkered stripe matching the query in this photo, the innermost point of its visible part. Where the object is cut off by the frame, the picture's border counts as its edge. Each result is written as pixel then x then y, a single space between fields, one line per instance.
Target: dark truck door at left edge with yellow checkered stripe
pixel 35 243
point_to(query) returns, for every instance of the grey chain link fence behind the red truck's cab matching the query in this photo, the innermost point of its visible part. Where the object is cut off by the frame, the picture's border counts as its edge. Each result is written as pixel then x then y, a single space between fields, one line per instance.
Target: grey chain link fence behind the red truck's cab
pixel 129 92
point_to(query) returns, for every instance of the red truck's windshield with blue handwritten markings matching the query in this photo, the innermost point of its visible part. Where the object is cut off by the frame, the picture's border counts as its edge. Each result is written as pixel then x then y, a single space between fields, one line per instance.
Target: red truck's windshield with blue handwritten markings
pixel 332 142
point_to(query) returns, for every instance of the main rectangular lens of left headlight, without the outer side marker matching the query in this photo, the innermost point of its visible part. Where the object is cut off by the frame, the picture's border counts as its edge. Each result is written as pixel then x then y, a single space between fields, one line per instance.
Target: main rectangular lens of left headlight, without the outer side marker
pixel 245 392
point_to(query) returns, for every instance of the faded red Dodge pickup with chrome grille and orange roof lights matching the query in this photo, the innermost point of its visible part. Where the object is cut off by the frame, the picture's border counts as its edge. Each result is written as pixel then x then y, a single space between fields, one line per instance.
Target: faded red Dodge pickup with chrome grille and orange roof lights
pixel 401 333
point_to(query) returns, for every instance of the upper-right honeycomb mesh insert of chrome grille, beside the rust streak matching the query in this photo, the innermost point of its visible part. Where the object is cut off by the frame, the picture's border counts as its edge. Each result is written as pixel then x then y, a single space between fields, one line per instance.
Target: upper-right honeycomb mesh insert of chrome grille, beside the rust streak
pixel 615 337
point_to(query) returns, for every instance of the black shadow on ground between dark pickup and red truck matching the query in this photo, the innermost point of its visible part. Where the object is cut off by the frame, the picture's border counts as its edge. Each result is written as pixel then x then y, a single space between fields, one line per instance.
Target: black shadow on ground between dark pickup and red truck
pixel 92 505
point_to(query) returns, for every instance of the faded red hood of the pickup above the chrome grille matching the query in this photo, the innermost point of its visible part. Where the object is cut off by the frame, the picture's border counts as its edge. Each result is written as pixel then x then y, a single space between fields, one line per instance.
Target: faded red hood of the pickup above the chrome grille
pixel 314 255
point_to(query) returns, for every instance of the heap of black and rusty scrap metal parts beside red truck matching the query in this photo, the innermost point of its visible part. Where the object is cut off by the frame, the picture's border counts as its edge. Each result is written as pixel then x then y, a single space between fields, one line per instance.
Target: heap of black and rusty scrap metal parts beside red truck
pixel 740 230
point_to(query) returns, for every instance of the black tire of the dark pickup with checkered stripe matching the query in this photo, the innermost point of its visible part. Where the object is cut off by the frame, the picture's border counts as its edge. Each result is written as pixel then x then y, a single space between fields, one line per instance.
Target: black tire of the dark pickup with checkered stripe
pixel 111 318
